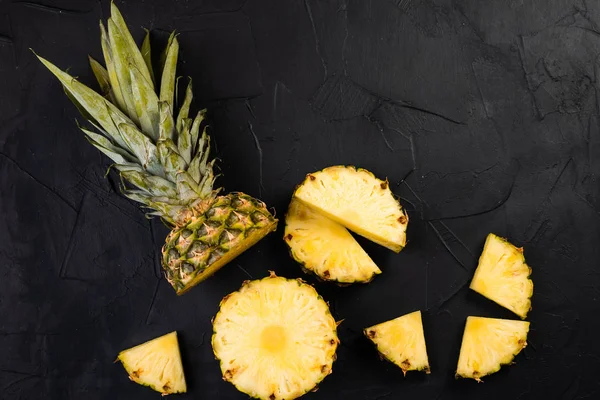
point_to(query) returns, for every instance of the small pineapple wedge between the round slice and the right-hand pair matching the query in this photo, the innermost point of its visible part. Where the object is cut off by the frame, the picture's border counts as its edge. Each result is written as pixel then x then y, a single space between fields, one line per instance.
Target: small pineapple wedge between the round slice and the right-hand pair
pixel 402 341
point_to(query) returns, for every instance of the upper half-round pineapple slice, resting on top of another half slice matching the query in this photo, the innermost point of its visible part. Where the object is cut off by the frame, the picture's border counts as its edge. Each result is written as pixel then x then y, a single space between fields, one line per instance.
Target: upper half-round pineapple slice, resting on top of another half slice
pixel 359 201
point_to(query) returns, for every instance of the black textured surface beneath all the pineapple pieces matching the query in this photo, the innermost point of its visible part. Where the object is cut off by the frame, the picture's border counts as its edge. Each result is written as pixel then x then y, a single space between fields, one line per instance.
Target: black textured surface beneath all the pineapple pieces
pixel 484 115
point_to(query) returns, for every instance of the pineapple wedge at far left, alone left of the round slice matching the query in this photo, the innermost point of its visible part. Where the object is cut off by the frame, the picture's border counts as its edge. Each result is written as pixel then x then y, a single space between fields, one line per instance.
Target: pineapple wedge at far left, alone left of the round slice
pixel 157 364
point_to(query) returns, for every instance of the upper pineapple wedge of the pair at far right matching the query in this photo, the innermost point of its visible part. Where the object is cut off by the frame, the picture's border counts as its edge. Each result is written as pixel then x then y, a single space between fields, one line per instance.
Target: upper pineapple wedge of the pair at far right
pixel 503 277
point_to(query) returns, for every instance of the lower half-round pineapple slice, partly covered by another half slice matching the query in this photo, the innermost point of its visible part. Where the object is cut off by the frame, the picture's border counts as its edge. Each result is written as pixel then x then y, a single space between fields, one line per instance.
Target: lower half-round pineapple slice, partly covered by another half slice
pixel 325 247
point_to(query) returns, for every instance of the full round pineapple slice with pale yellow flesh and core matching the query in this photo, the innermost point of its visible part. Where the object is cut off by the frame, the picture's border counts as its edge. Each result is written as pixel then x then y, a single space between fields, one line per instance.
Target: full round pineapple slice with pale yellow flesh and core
pixel 275 338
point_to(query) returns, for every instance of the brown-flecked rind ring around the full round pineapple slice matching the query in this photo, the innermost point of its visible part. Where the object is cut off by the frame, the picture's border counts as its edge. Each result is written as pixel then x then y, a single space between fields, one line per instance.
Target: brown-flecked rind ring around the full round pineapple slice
pixel 247 286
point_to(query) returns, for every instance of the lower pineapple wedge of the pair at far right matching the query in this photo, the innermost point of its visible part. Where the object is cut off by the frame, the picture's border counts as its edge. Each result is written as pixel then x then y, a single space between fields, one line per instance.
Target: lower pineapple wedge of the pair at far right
pixel 489 343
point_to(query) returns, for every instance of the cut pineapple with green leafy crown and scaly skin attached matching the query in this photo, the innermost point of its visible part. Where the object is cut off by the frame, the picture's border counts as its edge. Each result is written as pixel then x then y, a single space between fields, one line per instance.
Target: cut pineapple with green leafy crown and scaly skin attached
pixel 163 156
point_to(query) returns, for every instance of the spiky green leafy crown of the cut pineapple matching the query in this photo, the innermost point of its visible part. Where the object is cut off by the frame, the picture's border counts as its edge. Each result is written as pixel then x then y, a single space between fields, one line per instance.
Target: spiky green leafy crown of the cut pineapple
pixel 166 160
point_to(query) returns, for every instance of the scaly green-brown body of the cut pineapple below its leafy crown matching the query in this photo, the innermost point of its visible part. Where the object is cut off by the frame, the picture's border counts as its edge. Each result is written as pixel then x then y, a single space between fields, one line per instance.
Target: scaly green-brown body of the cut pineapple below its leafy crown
pixel 212 234
